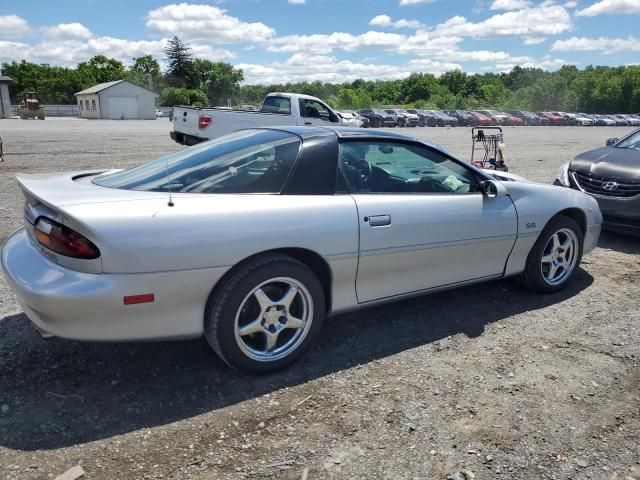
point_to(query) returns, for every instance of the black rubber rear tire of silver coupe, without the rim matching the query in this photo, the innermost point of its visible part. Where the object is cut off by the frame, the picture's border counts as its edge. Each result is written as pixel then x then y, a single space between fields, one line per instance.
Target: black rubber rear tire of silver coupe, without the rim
pixel 226 299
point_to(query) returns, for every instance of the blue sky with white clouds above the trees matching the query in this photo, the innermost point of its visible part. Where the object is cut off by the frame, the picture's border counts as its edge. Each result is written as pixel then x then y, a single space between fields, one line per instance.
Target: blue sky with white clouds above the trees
pixel 330 40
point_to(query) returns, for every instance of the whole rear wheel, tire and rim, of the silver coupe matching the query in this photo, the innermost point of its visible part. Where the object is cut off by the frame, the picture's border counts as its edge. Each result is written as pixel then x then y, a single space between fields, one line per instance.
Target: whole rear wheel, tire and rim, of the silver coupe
pixel 265 314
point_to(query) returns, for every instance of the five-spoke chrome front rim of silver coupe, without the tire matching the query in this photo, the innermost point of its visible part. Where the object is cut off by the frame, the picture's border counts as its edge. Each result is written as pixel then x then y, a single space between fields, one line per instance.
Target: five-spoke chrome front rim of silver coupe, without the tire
pixel 559 256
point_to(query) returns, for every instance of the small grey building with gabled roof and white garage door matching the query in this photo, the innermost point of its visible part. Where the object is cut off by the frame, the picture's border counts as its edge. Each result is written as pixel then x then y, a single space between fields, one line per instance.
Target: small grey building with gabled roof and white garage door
pixel 113 100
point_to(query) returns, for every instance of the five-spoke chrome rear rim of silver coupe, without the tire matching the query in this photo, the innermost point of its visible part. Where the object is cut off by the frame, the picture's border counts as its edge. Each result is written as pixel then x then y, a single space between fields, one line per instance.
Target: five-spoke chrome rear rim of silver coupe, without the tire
pixel 273 319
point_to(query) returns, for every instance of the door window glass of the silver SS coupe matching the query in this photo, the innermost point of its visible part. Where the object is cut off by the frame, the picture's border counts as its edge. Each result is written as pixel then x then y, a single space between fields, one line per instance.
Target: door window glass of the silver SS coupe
pixel 386 167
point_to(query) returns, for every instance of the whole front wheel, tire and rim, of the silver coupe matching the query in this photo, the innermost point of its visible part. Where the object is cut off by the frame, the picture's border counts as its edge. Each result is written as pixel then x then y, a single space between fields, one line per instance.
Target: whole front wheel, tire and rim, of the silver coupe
pixel 554 257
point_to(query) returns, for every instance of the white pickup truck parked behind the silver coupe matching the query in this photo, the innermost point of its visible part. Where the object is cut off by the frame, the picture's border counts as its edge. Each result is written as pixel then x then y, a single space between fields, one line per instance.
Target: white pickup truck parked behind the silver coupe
pixel 193 125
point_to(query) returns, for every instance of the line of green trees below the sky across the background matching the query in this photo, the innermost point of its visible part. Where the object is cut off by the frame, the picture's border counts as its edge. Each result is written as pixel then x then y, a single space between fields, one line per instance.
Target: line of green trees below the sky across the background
pixel 195 81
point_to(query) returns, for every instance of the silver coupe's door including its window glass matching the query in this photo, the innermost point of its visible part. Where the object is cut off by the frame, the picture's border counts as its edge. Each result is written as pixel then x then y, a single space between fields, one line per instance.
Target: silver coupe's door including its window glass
pixel 423 220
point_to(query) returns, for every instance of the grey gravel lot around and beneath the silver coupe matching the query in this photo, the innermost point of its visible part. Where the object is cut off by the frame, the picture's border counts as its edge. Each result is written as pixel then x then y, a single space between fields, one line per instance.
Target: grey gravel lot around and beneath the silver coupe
pixel 489 379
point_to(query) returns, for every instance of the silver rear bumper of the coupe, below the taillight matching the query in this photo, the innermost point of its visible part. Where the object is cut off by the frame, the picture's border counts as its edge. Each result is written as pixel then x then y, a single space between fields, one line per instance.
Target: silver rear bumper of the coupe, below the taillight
pixel 86 306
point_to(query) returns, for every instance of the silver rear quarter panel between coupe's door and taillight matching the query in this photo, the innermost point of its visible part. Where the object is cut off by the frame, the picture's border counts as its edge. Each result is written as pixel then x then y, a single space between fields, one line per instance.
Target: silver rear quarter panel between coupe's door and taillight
pixel 208 231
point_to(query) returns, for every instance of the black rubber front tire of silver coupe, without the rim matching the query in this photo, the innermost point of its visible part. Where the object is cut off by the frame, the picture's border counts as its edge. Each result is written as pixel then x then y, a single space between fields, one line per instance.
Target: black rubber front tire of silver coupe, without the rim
pixel 532 278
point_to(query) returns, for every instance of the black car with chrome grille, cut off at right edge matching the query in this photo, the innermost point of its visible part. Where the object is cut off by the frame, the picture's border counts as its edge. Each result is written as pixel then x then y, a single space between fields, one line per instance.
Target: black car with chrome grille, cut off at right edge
pixel 612 176
